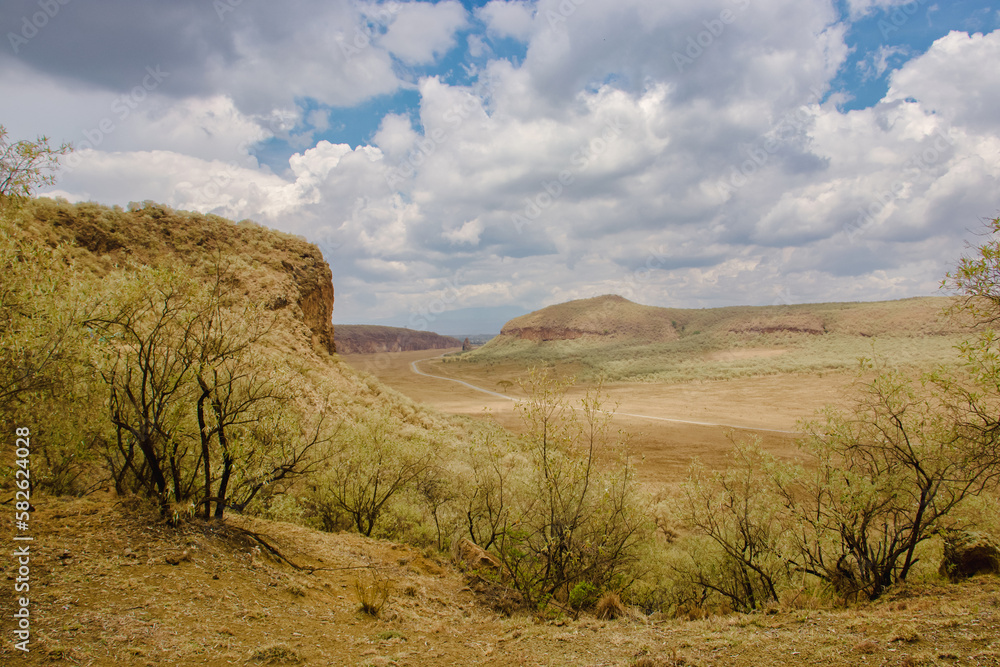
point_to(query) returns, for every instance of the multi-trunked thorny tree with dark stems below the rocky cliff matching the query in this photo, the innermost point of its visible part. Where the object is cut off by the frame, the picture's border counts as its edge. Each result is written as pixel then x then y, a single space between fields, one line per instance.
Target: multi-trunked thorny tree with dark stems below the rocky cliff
pixel 189 390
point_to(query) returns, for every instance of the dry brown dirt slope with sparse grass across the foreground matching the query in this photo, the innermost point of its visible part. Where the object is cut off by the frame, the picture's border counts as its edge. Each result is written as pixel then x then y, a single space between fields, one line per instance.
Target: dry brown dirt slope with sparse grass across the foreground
pixel 103 593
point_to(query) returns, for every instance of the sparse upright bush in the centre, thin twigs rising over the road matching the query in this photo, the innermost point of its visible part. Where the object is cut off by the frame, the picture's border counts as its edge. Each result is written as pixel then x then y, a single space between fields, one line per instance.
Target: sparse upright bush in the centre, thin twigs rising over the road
pixel 570 520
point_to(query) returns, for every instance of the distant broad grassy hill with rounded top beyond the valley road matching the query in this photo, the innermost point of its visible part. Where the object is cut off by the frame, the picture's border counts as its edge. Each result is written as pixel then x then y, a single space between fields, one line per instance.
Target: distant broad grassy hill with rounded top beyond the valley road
pixel 625 341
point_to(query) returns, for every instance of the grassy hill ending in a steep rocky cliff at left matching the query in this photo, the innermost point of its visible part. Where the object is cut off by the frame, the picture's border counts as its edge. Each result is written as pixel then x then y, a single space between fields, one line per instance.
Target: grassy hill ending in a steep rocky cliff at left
pixel 99 248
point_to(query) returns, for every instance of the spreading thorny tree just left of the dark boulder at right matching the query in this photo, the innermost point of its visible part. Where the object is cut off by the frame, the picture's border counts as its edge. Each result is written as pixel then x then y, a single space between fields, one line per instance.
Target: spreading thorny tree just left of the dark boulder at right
pixel 888 473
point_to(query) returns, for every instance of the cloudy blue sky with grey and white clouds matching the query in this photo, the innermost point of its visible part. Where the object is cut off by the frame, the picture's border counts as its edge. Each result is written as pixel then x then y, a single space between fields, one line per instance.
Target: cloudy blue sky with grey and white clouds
pixel 460 163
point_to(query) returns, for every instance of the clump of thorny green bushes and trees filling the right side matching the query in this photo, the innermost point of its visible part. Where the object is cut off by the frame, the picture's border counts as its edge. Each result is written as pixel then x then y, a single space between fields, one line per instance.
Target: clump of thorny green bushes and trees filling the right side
pixel 878 480
